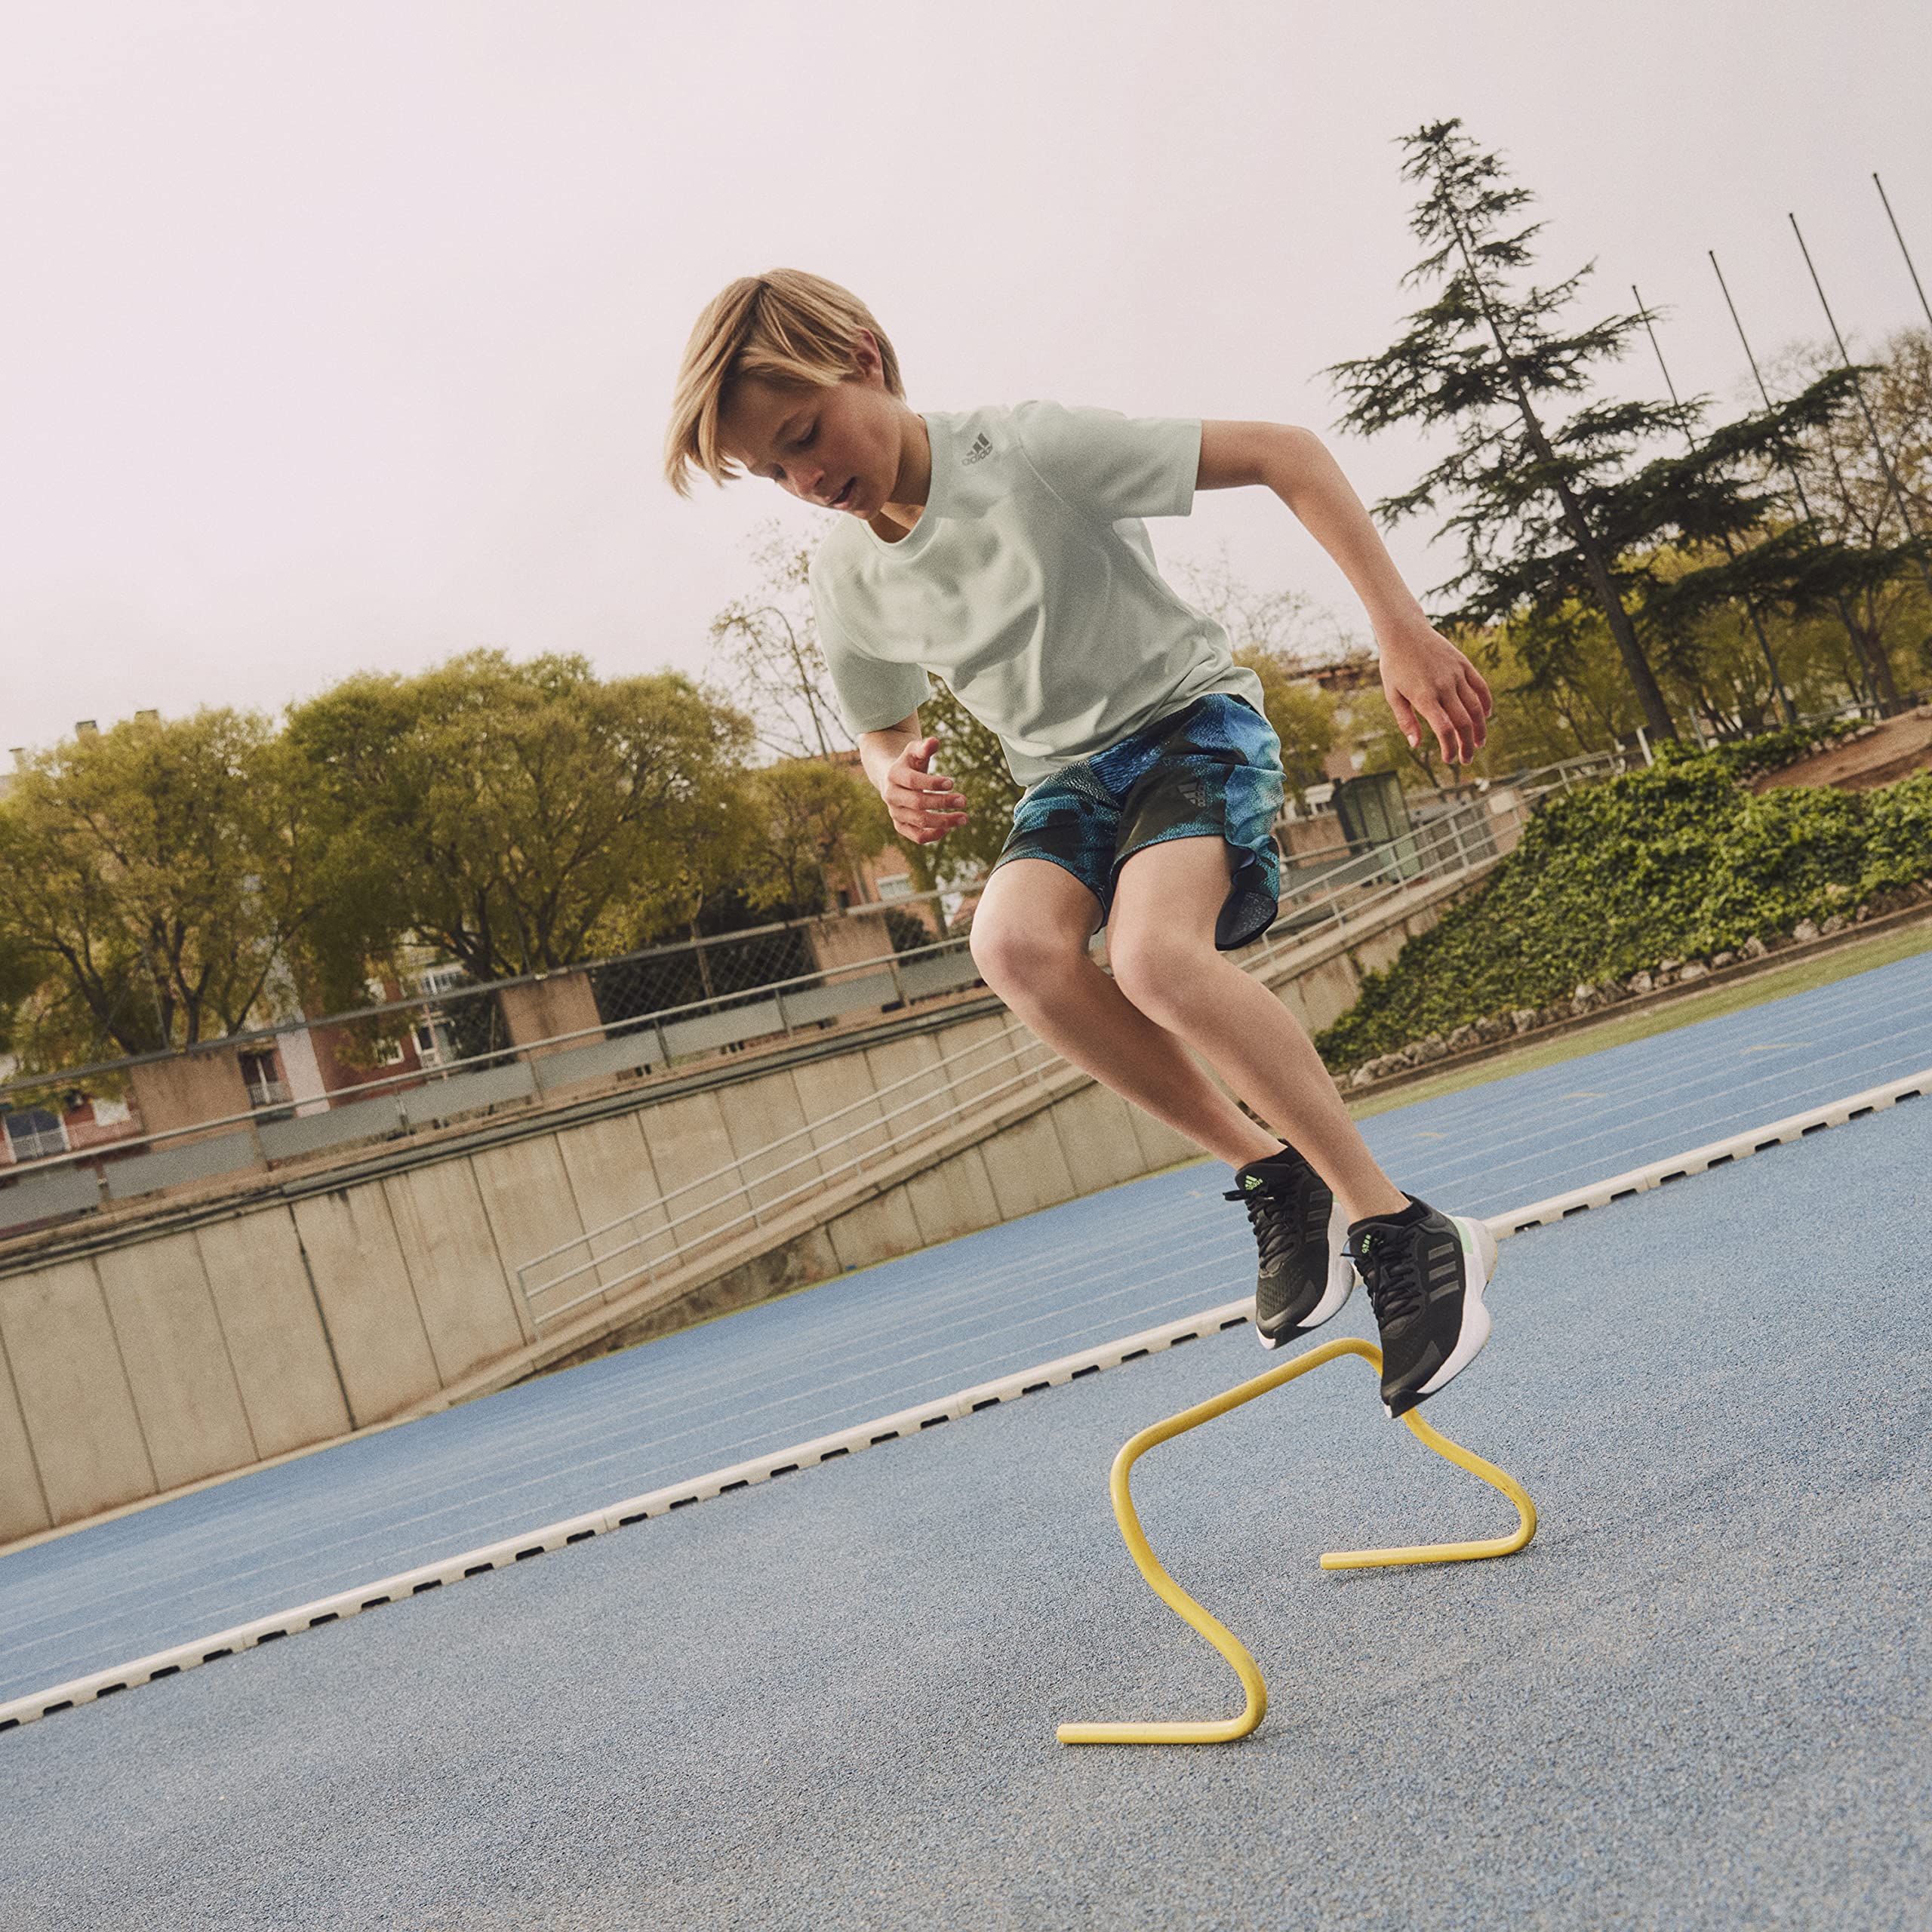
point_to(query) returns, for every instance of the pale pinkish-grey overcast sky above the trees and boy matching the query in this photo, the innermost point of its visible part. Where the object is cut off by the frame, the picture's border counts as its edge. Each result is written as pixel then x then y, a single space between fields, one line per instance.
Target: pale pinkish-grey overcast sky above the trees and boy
pixel 341 337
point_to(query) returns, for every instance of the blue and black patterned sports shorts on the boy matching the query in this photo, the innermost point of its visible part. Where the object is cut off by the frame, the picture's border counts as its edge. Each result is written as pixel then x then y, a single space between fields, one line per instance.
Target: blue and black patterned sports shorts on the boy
pixel 1207 772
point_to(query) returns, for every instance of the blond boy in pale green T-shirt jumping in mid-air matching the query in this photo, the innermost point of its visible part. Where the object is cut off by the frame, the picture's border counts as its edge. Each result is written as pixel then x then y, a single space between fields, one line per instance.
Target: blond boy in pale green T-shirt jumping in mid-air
pixel 1006 550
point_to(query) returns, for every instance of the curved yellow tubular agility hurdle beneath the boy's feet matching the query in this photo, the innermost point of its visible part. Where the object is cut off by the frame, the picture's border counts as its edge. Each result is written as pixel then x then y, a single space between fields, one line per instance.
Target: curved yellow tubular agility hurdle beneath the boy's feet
pixel 1226 1730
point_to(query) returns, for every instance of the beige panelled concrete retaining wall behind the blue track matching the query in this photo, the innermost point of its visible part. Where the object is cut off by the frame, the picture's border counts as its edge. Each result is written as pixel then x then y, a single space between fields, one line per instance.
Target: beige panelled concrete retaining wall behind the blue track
pixel 190 1351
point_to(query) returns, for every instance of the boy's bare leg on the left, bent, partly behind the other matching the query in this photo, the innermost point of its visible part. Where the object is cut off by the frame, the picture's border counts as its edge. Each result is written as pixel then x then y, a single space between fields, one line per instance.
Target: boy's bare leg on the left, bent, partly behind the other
pixel 1031 944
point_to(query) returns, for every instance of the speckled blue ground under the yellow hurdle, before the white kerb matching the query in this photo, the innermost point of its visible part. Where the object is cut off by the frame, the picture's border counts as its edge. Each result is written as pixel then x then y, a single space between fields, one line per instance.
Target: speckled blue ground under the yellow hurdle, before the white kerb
pixel 1699 1701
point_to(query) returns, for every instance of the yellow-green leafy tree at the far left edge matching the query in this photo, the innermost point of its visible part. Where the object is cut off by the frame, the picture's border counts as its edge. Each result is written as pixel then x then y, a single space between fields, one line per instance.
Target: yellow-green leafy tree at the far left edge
pixel 154 884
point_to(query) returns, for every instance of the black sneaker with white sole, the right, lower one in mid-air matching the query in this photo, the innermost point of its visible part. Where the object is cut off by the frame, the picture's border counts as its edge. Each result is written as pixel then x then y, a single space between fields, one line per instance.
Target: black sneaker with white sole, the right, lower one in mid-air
pixel 1425 1276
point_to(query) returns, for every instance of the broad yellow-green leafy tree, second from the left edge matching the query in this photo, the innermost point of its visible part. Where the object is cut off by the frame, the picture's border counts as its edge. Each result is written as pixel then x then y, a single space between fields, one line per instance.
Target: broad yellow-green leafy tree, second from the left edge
pixel 530 816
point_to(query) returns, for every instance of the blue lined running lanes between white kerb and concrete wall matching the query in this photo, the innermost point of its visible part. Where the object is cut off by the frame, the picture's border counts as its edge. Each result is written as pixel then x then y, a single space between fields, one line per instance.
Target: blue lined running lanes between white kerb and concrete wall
pixel 882 1340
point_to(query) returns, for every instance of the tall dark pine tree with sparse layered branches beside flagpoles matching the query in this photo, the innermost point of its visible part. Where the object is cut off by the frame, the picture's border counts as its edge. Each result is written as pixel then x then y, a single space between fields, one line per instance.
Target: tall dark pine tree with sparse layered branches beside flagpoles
pixel 1568 513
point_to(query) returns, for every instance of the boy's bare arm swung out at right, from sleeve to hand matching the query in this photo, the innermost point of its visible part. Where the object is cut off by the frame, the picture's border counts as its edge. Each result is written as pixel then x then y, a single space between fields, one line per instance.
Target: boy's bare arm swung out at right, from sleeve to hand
pixel 1423 673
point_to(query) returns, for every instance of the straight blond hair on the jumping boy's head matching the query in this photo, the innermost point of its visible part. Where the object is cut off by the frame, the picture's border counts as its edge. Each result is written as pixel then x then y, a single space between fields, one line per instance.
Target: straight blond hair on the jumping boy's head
pixel 787 327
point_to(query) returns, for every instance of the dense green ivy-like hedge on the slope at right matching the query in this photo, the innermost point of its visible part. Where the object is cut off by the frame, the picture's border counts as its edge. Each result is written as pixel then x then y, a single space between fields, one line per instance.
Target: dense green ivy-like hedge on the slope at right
pixel 1674 863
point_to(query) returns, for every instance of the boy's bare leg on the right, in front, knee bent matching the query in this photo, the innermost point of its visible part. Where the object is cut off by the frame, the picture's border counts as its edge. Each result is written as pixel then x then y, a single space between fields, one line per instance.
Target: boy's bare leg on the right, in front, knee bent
pixel 1160 946
